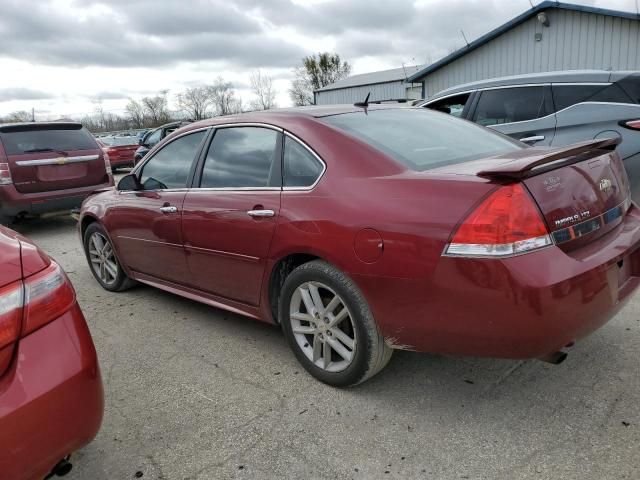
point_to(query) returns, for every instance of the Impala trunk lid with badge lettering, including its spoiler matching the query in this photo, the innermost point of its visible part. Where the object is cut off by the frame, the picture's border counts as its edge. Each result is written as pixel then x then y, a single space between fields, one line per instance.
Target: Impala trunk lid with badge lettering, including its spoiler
pixel 582 190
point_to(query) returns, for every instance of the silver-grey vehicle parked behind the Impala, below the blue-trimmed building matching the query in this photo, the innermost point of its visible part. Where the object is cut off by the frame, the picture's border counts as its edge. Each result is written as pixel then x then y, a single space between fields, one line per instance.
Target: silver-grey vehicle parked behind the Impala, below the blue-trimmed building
pixel 555 109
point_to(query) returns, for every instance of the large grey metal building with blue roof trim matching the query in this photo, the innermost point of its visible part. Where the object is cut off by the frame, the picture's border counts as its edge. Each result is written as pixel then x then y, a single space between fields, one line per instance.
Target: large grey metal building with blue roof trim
pixel 552 36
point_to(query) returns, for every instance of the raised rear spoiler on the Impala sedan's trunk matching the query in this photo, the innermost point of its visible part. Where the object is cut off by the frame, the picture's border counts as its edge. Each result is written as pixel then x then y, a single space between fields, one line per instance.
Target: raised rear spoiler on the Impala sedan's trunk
pixel 534 164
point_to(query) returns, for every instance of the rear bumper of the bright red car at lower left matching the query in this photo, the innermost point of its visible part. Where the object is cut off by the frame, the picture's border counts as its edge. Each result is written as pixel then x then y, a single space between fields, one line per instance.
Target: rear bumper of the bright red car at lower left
pixel 51 399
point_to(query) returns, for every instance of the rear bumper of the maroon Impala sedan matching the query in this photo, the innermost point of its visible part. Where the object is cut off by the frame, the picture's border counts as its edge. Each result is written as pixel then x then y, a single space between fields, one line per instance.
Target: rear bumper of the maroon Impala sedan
pixel 521 307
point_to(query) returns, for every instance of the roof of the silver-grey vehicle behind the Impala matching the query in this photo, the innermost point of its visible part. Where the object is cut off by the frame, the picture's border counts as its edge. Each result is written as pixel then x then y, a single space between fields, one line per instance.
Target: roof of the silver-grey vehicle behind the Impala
pixel 566 76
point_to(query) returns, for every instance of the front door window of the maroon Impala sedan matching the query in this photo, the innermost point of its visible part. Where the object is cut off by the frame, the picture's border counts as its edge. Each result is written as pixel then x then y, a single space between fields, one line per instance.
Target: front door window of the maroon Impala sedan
pixel 169 168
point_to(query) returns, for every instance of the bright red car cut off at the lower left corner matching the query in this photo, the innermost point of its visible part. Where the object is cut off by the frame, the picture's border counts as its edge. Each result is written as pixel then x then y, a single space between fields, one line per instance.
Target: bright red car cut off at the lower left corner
pixel 51 398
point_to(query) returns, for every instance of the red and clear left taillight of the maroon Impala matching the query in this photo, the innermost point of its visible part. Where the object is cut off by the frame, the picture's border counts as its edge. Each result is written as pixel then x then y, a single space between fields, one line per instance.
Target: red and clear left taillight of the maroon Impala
pixel 508 222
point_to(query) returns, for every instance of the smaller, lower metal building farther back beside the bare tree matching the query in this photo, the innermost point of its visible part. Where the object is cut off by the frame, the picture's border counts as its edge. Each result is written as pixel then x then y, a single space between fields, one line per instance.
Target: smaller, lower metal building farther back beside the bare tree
pixel 388 85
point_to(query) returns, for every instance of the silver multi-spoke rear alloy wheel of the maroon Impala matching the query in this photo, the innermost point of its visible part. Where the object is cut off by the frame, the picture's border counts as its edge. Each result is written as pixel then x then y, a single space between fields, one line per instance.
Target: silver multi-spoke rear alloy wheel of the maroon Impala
pixel 323 326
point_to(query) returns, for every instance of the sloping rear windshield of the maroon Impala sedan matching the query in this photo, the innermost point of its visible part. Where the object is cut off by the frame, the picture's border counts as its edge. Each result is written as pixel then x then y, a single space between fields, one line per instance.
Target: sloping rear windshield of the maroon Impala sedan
pixel 422 139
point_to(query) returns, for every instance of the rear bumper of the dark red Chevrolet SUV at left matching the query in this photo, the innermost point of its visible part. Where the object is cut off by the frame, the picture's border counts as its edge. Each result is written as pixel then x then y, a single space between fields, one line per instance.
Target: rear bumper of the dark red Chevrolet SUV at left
pixel 13 202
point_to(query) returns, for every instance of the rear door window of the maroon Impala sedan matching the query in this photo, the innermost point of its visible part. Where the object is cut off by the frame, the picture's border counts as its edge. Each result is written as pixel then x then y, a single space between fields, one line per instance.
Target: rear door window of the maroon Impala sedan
pixel 242 157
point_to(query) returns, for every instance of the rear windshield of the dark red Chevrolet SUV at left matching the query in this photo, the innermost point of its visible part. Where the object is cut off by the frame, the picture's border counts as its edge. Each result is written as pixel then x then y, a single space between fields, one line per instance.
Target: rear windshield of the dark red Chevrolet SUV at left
pixel 17 142
